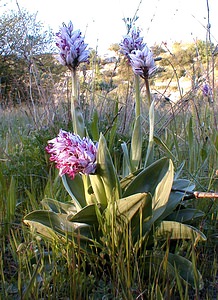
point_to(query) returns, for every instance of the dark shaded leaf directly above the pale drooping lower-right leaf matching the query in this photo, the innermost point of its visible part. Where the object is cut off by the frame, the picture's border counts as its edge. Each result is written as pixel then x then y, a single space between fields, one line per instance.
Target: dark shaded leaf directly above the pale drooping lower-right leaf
pixel 185 215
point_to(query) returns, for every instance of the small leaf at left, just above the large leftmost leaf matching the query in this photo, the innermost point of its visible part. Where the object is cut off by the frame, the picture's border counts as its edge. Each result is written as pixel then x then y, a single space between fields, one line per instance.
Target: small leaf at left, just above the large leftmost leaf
pixel 58 207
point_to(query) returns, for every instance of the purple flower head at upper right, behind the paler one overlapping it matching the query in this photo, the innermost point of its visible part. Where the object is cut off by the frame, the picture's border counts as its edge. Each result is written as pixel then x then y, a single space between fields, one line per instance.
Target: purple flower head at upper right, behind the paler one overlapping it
pixel 131 42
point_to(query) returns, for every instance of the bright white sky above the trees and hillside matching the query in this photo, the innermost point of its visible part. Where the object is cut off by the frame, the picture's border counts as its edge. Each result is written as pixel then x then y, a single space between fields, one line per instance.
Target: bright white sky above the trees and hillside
pixel 101 22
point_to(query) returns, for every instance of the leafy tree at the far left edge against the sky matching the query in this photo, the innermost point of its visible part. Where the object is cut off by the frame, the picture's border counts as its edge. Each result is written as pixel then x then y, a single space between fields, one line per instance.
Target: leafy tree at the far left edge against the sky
pixel 22 42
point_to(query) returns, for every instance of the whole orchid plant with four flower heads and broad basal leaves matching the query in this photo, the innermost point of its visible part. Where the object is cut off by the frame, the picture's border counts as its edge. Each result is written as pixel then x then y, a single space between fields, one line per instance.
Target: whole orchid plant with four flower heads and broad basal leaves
pixel 107 204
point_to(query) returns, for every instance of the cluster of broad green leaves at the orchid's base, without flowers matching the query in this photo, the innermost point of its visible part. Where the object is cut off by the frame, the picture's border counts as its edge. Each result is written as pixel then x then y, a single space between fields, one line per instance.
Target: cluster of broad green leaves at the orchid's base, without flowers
pixel 141 205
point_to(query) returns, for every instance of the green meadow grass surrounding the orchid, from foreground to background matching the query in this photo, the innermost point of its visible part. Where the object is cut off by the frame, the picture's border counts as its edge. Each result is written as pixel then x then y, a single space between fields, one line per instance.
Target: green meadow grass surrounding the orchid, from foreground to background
pixel 31 267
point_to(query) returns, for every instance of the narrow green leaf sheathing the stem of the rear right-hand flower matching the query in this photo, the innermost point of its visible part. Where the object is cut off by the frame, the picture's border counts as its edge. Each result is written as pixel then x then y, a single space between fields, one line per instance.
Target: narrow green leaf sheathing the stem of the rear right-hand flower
pixel 136 144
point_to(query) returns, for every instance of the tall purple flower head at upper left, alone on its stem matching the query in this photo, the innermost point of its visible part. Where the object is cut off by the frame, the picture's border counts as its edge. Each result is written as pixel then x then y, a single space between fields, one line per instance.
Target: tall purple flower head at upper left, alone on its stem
pixel 72 47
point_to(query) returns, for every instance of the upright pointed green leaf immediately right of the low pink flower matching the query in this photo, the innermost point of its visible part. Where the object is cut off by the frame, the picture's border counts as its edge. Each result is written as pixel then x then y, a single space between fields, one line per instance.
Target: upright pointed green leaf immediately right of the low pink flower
pixel 106 169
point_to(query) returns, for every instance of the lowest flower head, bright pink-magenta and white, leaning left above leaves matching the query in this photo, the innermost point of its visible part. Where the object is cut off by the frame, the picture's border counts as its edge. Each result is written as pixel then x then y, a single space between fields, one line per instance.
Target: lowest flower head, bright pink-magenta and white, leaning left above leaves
pixel 72 154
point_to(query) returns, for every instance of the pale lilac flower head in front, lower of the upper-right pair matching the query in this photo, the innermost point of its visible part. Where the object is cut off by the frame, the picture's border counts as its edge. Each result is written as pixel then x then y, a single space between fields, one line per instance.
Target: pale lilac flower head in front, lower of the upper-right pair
pixel 142 62
